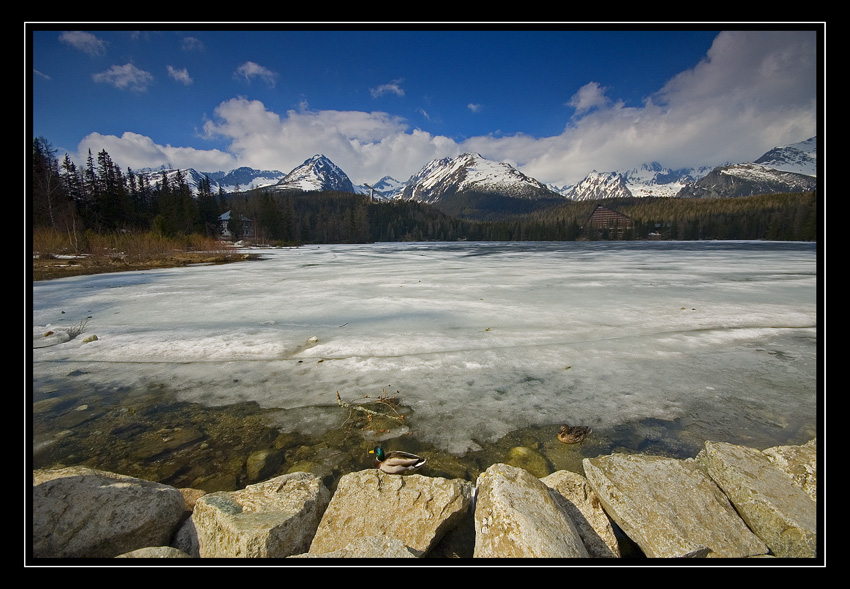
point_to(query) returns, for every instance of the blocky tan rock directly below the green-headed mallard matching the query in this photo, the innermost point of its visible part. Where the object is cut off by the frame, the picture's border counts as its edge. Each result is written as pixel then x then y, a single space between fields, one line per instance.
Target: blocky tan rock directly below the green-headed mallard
pixel 415 509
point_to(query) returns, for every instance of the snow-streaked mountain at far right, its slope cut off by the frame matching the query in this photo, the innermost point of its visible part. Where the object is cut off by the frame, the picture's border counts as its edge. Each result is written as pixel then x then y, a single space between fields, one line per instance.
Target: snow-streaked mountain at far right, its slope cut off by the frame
pixel 792 168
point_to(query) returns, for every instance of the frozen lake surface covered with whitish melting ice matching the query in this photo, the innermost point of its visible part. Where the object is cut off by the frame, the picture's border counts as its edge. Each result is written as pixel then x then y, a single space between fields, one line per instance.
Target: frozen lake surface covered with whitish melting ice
pixel 704 340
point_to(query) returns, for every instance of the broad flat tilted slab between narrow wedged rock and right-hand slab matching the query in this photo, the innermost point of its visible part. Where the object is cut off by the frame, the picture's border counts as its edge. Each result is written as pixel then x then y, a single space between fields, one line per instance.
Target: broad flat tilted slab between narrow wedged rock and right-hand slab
pixel 669 507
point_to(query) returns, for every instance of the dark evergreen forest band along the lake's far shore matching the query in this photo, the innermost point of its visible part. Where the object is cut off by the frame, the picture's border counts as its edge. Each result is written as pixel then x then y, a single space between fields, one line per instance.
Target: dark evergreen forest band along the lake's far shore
pixel 101 198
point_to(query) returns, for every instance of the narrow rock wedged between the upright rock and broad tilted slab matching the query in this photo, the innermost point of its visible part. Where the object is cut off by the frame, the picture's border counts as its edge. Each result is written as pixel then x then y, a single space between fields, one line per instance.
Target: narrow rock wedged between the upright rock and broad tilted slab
pixel 575 496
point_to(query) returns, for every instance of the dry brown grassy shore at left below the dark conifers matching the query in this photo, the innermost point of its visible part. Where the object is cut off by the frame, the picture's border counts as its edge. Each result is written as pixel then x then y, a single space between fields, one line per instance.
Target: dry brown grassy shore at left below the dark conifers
pixel 56 255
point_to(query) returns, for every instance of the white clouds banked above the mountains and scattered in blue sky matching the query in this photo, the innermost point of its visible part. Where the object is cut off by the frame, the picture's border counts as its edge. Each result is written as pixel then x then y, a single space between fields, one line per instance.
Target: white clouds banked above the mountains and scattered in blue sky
pixel 752 91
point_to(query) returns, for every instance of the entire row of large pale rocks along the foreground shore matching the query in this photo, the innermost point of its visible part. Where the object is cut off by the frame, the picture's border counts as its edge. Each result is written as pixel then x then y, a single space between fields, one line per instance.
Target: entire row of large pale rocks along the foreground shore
pixel 728 501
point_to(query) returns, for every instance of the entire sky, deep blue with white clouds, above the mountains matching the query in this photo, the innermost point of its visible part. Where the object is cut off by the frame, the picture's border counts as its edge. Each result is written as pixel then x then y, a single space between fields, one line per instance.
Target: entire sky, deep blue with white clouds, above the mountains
pixel 555 103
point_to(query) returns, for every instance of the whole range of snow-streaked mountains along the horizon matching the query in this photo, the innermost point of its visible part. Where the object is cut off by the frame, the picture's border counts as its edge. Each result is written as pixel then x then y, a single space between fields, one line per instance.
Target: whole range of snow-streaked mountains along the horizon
pixel 791 168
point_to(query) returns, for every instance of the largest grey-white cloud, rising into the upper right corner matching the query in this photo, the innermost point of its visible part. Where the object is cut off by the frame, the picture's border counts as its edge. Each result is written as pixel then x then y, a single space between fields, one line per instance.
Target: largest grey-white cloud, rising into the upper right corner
pixel 752 92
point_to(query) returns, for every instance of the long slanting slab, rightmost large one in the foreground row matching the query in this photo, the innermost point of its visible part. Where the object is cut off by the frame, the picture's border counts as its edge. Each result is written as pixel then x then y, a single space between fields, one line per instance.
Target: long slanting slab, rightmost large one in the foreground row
pixel 777 509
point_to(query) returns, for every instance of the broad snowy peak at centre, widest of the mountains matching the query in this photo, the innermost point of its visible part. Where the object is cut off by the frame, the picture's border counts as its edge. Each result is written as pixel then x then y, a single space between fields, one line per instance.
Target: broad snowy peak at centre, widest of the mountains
pixel 472 173
